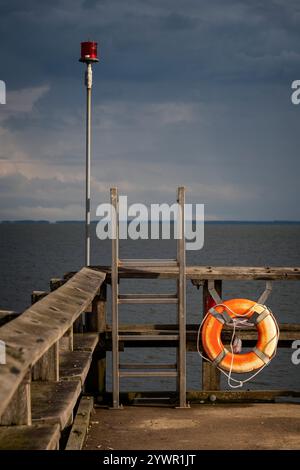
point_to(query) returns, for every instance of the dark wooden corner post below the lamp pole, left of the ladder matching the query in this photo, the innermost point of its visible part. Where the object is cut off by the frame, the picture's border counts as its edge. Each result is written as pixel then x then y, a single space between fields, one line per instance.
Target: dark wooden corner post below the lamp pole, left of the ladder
pixel 96 321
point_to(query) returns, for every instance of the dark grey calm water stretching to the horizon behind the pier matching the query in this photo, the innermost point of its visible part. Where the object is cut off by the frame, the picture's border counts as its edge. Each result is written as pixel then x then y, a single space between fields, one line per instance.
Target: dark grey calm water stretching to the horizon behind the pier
pixel 30 254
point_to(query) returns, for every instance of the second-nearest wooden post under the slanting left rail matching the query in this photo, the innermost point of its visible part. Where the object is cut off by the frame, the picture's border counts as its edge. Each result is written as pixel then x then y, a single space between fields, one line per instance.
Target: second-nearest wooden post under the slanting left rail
pixel 47 368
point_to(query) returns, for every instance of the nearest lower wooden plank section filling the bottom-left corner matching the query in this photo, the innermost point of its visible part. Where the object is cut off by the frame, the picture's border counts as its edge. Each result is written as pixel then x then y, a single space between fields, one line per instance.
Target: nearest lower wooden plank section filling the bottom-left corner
pixel 35 437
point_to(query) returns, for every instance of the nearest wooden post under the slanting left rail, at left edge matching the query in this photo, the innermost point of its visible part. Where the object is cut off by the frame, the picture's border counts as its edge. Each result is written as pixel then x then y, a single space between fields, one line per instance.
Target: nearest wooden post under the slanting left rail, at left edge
pixel 18 411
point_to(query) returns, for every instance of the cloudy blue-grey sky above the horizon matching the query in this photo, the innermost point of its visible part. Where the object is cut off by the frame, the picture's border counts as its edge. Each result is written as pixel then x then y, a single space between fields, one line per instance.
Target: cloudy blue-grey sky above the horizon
pixel 193 93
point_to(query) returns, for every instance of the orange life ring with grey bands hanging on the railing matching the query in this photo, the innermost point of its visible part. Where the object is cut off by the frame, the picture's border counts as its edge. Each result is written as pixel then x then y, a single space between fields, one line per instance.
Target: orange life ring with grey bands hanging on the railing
pixel 224 313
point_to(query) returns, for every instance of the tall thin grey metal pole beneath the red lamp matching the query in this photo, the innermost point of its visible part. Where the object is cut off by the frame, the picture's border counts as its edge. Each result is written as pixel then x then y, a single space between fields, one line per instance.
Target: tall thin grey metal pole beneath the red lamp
pixel 88 82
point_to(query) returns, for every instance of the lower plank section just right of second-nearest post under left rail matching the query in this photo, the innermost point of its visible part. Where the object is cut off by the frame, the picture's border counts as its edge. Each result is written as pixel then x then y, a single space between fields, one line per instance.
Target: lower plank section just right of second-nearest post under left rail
pixel 74 365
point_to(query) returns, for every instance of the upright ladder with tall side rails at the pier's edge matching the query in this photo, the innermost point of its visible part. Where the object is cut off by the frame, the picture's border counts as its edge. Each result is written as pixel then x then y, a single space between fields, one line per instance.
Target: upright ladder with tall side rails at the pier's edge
pixel 177 370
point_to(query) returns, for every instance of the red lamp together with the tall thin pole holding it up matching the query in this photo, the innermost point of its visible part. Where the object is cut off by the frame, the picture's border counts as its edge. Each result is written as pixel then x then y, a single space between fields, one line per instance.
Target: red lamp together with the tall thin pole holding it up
pixel 89 56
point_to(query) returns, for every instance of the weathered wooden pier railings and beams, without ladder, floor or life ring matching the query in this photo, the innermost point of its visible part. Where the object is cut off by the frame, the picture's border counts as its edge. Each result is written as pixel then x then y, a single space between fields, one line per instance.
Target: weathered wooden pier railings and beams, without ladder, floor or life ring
pixel 56 363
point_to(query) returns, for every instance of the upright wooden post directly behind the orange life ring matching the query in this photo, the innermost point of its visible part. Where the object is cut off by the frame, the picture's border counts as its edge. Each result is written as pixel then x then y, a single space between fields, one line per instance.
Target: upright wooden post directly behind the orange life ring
pixel 210 375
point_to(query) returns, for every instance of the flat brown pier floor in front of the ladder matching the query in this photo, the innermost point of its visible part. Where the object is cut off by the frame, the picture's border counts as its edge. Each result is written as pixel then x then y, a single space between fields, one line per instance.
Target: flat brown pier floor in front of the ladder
pixel 234 426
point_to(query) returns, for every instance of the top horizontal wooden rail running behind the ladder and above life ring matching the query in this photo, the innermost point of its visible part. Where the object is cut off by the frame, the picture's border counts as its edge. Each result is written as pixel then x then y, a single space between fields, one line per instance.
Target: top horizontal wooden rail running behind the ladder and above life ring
pixel 209 272
